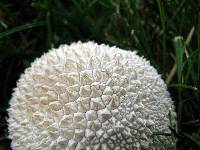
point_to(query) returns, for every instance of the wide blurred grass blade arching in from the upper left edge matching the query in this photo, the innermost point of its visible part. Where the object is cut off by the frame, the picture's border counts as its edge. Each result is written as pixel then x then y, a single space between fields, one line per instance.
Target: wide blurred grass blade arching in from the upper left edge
pixel 21 28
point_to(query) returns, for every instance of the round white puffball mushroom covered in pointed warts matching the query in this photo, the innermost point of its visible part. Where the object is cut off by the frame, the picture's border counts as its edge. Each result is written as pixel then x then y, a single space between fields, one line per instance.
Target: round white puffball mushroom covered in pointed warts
pixel 89 96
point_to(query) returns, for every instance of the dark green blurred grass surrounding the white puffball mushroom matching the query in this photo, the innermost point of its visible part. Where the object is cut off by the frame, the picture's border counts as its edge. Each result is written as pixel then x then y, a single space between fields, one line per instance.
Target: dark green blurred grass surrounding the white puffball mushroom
pixel 167 32
